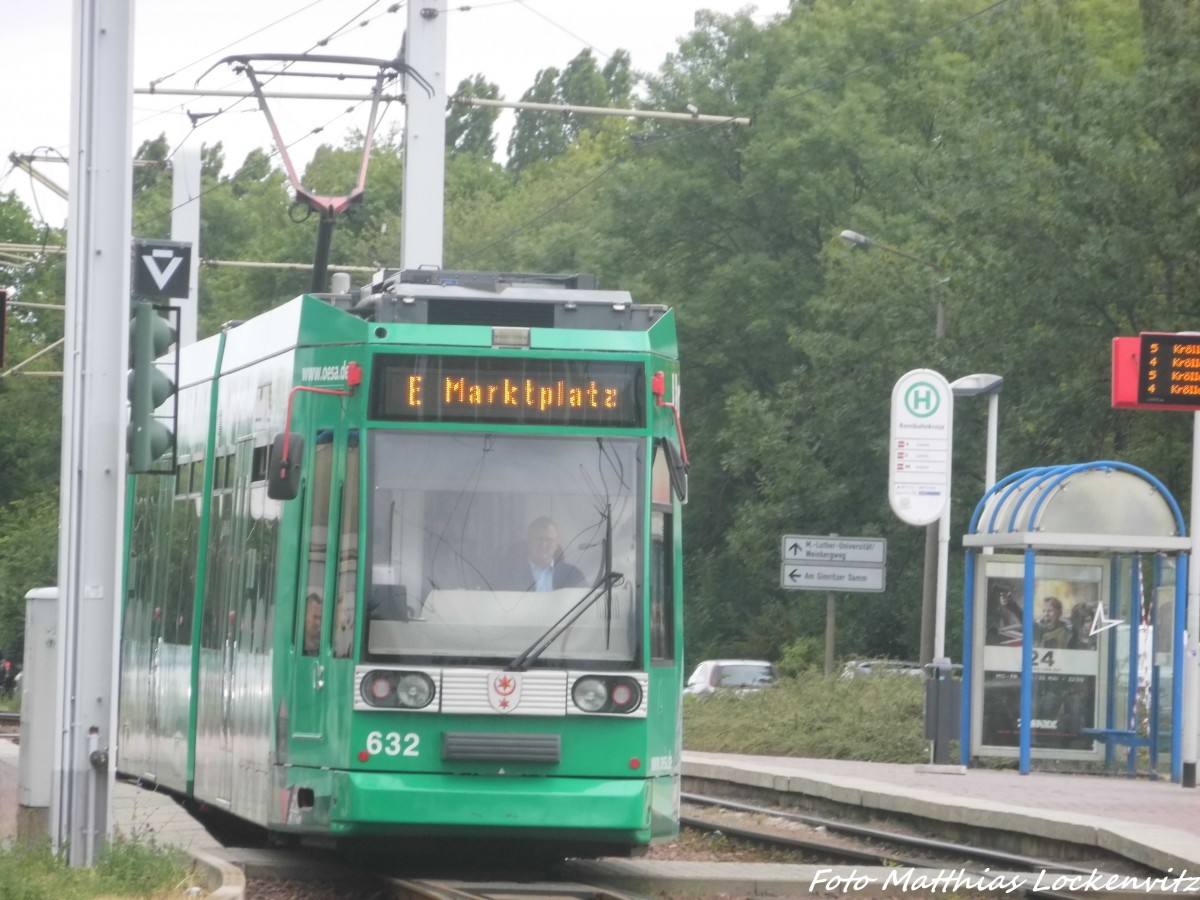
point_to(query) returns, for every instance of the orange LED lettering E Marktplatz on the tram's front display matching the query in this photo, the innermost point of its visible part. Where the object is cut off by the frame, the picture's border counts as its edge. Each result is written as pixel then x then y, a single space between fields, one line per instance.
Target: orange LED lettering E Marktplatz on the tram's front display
pixel 515 394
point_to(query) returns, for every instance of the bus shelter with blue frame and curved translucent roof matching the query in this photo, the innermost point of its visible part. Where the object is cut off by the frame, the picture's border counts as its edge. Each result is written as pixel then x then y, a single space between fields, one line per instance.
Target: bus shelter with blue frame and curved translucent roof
pixel 1076 590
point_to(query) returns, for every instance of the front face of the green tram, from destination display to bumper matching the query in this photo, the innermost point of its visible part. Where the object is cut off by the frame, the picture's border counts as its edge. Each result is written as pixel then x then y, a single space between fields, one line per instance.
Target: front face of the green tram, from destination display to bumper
pixel 505 681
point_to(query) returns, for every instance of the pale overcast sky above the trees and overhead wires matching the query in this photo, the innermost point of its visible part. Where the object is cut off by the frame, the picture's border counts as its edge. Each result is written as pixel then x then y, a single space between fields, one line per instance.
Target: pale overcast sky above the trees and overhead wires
pixel 508 41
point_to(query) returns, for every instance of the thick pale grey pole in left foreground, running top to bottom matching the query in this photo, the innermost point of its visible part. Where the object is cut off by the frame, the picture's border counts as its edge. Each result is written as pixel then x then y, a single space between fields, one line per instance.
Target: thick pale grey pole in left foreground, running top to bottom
pixel 93 479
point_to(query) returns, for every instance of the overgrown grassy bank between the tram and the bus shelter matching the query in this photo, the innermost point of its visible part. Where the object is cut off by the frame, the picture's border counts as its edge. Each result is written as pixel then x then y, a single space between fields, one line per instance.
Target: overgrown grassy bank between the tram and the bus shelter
pixel 875 719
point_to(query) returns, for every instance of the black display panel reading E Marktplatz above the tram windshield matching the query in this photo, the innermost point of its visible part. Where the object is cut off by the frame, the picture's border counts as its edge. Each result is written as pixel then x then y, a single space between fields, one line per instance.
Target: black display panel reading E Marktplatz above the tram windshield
pixel 503 391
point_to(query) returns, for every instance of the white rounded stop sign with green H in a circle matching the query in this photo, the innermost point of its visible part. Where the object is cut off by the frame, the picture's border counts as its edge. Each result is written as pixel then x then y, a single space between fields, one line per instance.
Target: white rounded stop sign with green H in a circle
pixel 921 443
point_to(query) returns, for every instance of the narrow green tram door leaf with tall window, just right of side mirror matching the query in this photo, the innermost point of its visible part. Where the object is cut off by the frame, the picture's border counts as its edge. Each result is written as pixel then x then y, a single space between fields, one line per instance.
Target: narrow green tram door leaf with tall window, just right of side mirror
pixel 314 615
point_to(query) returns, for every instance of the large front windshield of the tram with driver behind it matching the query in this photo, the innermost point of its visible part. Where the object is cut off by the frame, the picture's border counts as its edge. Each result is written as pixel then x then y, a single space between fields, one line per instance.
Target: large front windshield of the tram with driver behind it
pixel 503 549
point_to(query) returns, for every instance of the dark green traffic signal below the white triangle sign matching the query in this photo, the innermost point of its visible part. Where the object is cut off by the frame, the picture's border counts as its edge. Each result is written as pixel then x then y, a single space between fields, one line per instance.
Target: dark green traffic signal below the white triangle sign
pixel 149 436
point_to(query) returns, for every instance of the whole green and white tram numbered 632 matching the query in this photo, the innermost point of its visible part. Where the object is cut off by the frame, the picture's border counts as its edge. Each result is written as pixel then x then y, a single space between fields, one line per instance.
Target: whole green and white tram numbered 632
pixel 333 627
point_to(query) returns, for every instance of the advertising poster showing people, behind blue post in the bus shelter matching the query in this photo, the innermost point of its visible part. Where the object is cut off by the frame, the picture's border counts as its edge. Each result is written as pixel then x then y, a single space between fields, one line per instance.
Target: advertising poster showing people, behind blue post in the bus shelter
pixel 1065 651
